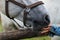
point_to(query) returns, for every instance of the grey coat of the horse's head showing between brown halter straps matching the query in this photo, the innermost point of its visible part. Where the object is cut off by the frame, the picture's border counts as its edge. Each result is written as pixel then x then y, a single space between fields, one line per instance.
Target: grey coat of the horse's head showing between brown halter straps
pixel 37 12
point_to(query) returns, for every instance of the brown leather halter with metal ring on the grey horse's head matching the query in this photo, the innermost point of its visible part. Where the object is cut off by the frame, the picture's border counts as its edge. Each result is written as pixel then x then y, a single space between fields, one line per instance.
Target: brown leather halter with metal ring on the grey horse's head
pixel 26 11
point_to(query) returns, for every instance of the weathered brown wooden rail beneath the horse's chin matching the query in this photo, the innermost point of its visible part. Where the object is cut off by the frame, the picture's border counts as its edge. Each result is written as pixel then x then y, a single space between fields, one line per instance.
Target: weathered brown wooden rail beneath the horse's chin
pixel 18 34
